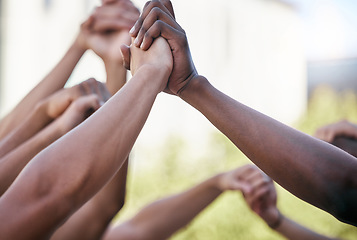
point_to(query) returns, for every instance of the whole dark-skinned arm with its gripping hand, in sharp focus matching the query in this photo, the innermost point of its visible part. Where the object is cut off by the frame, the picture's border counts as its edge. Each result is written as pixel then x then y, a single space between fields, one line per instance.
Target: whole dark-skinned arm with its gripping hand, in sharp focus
pixel 313 170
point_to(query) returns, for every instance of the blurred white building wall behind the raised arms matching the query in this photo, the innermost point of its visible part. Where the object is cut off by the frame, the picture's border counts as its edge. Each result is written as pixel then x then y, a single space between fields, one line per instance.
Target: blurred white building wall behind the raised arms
pixel 249 49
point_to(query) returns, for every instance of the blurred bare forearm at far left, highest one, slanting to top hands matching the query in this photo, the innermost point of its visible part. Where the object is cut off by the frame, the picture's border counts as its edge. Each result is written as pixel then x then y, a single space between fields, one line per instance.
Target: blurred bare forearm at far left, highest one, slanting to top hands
pixel 54 81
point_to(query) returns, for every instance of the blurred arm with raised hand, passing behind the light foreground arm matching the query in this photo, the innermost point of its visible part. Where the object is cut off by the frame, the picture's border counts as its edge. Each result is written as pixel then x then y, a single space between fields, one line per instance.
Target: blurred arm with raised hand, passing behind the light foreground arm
pixel 109 31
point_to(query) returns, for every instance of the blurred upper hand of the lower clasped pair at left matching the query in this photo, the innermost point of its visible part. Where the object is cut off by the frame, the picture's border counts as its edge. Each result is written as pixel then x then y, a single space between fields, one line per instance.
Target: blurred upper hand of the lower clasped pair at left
pixel 56 104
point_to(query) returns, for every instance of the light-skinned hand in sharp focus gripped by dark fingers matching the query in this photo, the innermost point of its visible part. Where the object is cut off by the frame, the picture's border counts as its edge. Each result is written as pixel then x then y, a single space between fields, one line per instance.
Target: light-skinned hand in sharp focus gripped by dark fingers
pixel 158 59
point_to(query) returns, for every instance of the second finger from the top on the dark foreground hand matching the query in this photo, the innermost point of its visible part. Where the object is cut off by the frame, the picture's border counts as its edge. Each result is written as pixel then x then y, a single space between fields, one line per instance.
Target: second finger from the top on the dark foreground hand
pixel 155 15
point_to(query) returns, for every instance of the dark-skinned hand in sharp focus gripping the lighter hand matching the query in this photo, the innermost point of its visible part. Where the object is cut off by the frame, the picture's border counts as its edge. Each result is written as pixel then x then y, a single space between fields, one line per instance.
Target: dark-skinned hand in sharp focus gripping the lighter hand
pixel 158 19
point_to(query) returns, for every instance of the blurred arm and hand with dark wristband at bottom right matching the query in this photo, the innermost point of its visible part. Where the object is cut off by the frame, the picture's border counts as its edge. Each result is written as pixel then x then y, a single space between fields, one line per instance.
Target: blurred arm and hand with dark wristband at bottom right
pixel 262 200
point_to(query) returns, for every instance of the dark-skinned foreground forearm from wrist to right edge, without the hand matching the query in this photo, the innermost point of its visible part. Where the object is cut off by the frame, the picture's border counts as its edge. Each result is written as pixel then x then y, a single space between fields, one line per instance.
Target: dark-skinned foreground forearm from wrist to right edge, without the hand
pixel 291 158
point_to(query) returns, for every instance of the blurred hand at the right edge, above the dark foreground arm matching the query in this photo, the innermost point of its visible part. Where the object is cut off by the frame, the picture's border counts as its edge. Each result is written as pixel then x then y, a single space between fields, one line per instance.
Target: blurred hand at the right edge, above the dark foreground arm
pixel 343 128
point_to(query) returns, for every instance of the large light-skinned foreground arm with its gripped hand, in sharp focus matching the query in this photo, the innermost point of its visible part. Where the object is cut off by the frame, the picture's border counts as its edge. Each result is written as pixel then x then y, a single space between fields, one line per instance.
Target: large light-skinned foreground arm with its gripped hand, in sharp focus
pixel 67 173
